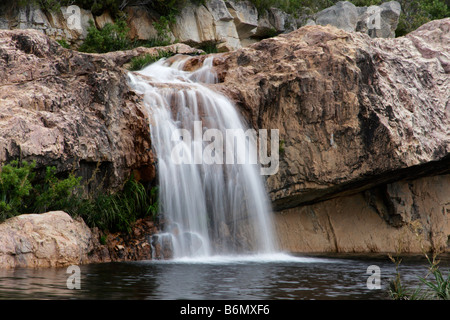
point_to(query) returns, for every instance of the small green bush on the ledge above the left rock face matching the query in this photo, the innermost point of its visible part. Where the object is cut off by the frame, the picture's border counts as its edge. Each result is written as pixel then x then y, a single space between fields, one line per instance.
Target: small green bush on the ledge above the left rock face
pixel 112 37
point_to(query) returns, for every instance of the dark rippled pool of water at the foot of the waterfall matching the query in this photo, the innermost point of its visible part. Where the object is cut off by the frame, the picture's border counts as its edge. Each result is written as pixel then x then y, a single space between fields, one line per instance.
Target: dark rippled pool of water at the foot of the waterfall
pixel 218 278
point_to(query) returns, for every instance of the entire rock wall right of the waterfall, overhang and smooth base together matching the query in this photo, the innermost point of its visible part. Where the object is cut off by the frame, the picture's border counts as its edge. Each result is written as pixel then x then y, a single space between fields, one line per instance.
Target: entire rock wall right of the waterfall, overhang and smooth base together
pixel 358 117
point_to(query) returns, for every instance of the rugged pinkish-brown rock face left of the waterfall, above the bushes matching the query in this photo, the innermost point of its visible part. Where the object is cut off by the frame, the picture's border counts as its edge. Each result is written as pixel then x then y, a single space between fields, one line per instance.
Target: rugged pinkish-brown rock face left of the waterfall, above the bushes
pixel 71 110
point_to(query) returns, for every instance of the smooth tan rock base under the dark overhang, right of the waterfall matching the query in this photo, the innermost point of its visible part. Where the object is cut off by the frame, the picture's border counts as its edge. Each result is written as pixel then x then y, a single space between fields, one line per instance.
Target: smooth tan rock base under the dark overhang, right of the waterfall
pixel 354 224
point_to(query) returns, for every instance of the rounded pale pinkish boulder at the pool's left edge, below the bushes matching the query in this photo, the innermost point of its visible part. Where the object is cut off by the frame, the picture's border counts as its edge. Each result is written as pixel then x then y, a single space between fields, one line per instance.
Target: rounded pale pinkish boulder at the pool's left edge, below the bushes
pixel 50 239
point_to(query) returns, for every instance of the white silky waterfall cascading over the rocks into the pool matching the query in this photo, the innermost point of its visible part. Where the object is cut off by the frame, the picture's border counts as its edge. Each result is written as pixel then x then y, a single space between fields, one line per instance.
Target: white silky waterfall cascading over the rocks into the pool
pixel 208 208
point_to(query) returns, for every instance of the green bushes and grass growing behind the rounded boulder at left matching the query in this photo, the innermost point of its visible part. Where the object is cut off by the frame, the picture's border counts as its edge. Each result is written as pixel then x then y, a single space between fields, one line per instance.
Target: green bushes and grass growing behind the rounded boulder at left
pixel 21 191
